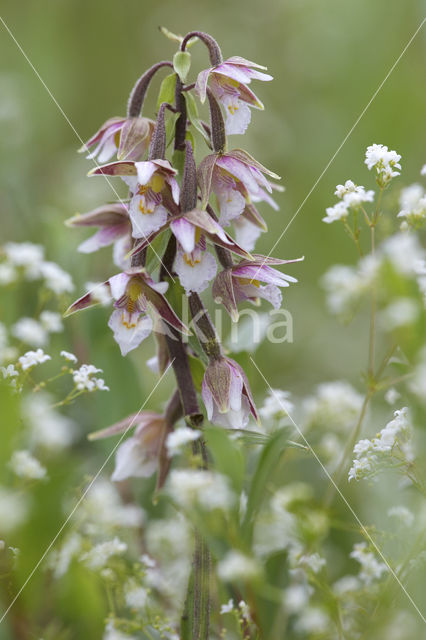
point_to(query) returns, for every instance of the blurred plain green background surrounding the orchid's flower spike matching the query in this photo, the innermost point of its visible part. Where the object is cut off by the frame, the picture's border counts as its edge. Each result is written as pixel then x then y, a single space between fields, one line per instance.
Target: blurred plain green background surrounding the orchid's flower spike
pixel 327 58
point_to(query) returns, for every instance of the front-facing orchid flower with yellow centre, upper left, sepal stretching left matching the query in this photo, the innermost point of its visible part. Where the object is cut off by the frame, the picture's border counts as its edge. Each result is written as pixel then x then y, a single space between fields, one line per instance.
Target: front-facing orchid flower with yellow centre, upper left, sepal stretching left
pixel 152 183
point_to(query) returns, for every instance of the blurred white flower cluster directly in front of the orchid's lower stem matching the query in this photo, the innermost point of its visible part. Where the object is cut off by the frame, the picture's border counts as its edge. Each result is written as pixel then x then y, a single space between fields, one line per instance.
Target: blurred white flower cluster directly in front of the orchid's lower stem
pixel 207 490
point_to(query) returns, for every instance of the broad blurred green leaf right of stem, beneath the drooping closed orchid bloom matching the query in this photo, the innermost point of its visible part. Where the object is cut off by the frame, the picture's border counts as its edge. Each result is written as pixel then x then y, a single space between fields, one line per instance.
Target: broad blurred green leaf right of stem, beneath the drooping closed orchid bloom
pixel 228 457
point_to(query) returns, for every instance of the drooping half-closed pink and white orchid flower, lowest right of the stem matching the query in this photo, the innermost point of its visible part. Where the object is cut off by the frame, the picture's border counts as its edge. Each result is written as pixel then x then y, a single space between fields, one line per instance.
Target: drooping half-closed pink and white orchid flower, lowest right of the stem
pixel 226 394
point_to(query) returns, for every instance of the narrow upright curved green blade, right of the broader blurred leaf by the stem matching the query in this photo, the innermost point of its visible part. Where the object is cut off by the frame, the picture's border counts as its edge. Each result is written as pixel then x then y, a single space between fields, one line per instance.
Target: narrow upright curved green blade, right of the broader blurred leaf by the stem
pixel 266 466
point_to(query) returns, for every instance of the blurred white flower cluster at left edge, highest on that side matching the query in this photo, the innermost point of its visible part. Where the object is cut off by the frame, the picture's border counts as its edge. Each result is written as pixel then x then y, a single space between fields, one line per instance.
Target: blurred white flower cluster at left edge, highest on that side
pixel 28 259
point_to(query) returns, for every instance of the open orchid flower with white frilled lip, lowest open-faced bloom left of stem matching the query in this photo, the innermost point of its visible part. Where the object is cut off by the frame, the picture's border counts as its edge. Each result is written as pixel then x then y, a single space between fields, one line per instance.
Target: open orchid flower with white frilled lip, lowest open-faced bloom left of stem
pixel 139 308
